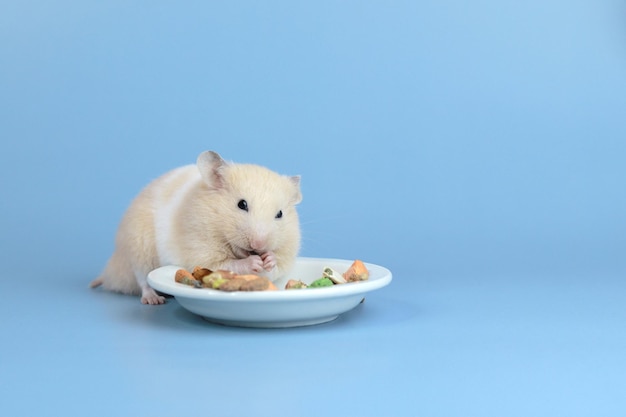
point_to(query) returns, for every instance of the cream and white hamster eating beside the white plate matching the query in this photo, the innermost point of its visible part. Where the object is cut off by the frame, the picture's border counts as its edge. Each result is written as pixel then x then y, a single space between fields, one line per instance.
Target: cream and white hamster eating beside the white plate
pixel 216 214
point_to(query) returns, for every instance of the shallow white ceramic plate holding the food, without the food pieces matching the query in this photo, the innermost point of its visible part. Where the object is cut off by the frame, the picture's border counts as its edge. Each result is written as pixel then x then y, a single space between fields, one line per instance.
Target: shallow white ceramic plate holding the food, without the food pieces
pixel 282 308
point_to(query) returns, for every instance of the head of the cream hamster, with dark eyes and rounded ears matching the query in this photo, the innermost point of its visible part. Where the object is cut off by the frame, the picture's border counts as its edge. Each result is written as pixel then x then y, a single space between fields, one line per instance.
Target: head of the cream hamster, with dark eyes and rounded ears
pixel 256 207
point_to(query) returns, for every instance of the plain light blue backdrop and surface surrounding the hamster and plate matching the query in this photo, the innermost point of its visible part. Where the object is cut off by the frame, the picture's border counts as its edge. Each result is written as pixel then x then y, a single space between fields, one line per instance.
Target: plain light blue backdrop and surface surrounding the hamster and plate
pixel 476 149
